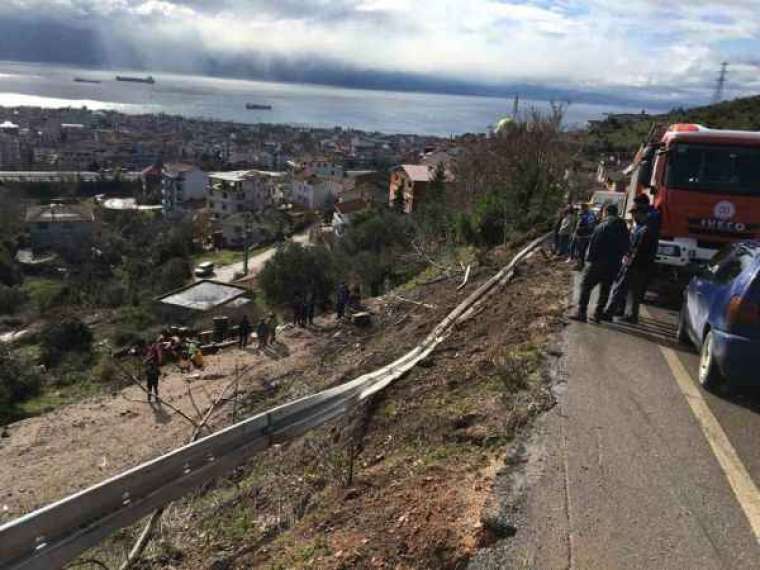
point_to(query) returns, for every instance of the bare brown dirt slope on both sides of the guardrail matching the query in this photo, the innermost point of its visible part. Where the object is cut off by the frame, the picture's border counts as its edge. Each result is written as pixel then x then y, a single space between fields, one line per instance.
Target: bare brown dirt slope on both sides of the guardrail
pixel 423 455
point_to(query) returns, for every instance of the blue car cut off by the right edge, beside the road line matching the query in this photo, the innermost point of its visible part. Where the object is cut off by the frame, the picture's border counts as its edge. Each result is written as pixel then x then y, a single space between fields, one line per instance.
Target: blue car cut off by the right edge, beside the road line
pixel 721 317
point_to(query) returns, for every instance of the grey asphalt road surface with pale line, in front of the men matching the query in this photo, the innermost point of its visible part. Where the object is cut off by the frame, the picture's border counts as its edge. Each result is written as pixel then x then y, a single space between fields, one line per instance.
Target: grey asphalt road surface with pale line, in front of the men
pixel 637 466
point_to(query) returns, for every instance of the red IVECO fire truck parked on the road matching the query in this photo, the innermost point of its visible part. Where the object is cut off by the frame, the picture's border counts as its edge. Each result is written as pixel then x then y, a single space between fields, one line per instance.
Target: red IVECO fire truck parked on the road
pixel 705 184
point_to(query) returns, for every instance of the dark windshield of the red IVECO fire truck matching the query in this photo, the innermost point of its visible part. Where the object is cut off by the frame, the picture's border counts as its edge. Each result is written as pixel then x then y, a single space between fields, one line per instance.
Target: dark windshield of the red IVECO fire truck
pixel 724 169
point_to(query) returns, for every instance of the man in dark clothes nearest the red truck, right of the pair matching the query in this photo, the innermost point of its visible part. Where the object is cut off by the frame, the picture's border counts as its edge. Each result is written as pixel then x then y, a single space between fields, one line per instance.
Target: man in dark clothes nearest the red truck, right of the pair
pixel 638 267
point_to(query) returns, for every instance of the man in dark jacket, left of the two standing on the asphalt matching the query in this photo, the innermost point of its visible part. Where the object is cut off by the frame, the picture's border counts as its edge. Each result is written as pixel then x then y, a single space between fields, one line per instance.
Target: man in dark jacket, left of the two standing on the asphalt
pixel 607 247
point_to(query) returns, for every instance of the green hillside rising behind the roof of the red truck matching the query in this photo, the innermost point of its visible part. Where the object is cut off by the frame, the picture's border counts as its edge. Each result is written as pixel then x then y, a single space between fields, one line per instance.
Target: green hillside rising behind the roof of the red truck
pixel 614 135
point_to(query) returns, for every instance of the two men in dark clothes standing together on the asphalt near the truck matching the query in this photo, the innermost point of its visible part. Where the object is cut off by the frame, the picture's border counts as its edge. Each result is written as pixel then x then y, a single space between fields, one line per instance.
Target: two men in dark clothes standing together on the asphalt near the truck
pixel 620 262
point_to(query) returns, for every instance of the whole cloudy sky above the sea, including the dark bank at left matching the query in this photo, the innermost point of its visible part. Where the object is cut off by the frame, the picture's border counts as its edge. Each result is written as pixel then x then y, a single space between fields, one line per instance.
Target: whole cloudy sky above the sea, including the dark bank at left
pixel 632 49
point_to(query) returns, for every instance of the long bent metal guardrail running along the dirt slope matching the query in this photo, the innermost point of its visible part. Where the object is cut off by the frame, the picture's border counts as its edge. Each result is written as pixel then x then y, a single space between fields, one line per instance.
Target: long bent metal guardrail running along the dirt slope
pixel 56 534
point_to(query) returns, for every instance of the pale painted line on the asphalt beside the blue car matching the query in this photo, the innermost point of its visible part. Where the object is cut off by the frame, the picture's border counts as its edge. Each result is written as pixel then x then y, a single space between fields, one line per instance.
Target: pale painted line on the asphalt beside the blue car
pixel 739 479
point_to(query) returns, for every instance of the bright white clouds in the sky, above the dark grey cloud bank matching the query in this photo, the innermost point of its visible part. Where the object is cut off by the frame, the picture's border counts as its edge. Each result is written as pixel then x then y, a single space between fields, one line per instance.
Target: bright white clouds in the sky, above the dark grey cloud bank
pixel 635 43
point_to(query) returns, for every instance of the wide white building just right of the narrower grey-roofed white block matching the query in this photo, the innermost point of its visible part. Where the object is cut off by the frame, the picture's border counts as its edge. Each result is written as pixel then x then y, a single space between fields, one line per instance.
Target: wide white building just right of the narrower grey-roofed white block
pixel 229 193
